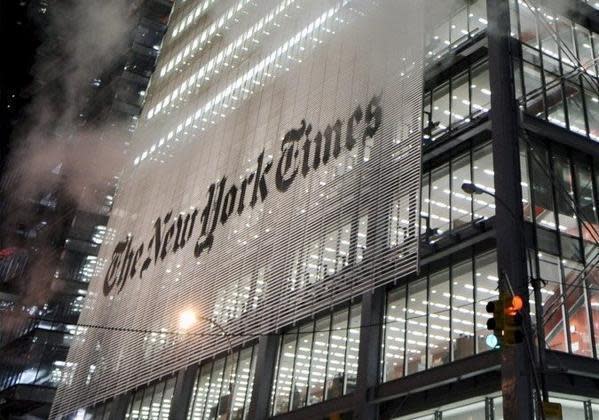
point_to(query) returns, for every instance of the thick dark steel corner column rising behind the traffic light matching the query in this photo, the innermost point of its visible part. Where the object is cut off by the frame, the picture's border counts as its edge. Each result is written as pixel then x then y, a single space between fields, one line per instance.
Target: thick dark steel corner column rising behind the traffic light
pixel 511 256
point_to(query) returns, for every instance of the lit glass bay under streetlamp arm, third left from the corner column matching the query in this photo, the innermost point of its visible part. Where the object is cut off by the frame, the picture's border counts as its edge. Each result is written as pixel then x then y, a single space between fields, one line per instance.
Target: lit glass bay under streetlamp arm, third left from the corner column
pixel 223 387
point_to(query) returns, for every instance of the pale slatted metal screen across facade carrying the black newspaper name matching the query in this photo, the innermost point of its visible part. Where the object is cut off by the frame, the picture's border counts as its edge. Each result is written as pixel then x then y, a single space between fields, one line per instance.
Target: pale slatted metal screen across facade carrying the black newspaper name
pixel 275 162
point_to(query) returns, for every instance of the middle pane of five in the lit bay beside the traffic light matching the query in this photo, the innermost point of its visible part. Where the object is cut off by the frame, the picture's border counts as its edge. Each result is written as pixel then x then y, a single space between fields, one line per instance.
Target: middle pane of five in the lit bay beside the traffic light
pixel 438 326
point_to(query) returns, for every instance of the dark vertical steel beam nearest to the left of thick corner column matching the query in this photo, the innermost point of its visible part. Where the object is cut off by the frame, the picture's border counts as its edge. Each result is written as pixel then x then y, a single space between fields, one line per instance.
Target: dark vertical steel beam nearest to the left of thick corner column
pixel 372 316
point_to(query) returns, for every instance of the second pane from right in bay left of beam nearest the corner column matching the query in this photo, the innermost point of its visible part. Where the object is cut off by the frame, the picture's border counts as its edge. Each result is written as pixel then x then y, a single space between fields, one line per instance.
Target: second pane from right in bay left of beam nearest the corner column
pixel 336 359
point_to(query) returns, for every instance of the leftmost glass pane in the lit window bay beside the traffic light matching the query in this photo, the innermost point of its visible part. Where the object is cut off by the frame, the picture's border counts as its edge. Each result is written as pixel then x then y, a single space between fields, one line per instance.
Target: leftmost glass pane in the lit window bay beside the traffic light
pixel 395 330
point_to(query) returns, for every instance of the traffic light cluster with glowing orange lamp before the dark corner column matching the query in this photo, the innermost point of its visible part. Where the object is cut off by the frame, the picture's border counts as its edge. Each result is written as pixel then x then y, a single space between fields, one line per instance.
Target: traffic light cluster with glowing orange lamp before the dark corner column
pixel 506 322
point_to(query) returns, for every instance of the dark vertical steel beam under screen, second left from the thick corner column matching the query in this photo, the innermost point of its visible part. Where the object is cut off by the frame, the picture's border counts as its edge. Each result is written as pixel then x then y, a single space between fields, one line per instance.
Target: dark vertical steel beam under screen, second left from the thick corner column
pixel 263 378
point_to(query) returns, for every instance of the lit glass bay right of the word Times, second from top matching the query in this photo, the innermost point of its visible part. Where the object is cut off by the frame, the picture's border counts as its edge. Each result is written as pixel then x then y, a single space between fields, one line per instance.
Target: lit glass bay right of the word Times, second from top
pixel 456 102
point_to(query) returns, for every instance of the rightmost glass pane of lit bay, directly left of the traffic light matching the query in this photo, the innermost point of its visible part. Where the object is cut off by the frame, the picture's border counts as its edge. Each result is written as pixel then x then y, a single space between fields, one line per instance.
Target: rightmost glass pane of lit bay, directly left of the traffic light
pixel 486 282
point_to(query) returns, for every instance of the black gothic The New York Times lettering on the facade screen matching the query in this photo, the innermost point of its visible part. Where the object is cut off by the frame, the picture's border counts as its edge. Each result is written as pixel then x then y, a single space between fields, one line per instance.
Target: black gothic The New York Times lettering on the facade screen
pixel 303 149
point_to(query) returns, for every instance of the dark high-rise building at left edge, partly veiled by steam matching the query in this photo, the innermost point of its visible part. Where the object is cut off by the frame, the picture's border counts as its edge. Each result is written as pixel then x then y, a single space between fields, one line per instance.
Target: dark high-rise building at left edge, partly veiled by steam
pixel 51 233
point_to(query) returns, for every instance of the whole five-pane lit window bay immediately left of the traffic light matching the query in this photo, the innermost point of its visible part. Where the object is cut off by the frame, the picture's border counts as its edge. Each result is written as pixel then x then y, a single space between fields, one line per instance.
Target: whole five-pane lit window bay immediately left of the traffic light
pixel 439 318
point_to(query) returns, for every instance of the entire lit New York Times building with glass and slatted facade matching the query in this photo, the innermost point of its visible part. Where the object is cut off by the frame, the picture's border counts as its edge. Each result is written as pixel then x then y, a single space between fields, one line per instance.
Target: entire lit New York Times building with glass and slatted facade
pixel 323 197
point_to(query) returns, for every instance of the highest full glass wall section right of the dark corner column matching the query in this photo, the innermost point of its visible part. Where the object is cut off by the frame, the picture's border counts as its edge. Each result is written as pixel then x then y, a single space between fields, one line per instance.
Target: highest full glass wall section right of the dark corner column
pixel 557 73
